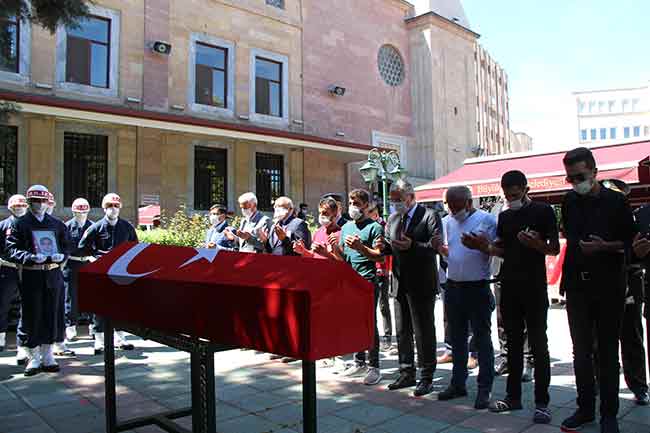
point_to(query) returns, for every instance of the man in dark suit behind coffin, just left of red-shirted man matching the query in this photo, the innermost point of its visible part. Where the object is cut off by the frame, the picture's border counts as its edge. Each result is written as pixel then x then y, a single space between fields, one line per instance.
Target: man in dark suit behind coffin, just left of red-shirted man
pixel 286 229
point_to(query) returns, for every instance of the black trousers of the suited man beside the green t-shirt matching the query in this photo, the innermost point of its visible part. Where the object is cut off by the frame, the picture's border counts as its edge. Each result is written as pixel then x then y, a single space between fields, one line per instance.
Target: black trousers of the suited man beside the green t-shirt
pixel 414 315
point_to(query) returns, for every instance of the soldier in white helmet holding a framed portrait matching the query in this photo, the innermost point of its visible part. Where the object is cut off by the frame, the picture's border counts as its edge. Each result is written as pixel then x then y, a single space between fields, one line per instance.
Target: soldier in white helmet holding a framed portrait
pixel 41 279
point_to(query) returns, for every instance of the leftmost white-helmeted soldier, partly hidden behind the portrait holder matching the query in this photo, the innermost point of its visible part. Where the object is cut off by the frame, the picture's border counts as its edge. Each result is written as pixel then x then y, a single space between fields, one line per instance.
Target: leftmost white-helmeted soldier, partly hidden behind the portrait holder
pixel 17 205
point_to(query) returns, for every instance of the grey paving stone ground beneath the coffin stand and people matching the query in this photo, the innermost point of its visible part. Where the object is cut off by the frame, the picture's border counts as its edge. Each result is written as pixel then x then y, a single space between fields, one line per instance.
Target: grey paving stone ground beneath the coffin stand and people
pixel 256 395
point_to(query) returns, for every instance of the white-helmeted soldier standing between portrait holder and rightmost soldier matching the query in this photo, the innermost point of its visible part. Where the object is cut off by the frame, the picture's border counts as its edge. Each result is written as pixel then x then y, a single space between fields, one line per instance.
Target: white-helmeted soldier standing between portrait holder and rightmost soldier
pixel 76 226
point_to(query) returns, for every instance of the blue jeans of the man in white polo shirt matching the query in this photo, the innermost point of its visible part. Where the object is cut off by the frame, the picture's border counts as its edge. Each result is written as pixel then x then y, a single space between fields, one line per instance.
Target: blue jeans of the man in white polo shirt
pixel 471 304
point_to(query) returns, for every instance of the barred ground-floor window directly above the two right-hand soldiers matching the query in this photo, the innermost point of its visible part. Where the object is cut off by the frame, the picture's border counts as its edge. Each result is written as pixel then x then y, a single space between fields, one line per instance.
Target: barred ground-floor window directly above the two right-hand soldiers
pixel 85 167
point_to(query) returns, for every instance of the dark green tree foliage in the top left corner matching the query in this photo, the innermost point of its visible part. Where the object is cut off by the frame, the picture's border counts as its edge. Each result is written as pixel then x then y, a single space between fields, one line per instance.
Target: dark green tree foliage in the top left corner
pixel 46 13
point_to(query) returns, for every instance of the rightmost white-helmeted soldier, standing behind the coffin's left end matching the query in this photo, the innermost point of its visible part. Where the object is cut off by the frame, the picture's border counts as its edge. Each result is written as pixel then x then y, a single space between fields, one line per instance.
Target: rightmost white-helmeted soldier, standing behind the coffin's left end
pixel 99 239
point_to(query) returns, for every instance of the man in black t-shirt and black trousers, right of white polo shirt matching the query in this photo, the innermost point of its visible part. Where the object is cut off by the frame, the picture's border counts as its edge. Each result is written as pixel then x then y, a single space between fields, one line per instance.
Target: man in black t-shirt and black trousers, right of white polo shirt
pixel 526 234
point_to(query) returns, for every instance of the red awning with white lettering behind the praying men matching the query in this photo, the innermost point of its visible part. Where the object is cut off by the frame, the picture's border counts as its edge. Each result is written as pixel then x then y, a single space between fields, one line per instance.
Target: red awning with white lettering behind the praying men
pixel 545 172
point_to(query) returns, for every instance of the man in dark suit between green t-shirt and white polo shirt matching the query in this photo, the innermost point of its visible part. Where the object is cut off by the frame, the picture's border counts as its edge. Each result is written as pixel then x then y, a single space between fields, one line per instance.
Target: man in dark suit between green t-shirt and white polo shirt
pixel 409 232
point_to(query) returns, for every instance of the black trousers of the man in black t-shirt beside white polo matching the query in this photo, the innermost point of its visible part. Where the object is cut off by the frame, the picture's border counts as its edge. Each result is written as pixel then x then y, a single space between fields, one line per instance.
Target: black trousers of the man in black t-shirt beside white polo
pixel 524 306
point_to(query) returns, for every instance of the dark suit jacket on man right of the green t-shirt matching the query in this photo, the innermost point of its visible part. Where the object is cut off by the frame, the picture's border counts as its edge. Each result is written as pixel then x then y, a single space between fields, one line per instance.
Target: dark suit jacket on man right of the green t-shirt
pixel 415 269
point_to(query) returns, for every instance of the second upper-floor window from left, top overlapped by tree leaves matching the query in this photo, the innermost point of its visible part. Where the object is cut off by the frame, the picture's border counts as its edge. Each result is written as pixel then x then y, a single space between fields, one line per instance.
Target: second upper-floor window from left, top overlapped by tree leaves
pixel 88 48
